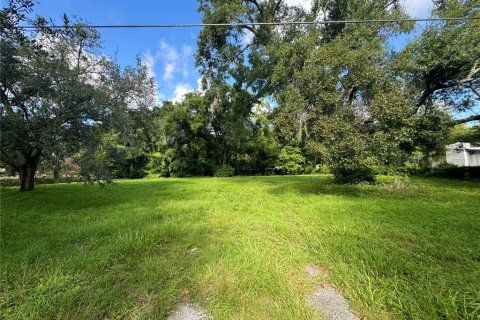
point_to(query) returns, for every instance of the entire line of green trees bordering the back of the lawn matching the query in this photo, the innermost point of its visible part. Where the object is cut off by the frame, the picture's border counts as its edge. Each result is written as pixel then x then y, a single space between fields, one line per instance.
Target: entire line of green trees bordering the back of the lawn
pixel 290 100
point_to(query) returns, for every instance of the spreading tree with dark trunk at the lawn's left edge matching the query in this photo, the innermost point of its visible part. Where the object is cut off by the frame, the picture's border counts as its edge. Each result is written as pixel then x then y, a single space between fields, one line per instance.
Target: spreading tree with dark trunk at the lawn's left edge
pixel 58 93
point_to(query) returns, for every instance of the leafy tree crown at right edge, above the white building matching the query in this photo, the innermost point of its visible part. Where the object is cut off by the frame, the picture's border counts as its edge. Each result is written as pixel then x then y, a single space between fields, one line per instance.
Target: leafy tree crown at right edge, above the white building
pixel 442 63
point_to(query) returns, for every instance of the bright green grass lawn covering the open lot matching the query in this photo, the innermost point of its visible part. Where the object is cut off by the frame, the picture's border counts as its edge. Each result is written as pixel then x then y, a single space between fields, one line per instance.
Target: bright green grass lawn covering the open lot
pixel 239 248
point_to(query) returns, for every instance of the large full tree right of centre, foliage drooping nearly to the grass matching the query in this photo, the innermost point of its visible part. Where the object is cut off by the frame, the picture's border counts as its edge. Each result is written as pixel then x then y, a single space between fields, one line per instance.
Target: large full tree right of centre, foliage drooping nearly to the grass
pixel 341 101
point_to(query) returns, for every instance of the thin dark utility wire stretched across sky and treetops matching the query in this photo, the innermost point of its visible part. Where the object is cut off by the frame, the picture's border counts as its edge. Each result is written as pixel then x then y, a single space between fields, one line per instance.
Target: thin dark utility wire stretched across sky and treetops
pixel 246 24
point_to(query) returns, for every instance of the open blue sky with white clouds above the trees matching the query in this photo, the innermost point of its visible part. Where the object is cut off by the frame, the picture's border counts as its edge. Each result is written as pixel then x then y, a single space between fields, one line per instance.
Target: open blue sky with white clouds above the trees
pixel 167 52
